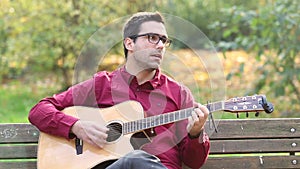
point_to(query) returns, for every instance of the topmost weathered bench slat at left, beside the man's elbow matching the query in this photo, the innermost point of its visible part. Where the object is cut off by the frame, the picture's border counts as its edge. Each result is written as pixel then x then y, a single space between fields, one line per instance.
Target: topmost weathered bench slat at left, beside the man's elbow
pixel 18 133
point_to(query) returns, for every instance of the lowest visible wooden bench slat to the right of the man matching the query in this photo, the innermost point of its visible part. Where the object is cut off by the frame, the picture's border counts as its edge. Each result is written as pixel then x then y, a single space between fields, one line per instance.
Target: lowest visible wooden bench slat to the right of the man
pixel 253 162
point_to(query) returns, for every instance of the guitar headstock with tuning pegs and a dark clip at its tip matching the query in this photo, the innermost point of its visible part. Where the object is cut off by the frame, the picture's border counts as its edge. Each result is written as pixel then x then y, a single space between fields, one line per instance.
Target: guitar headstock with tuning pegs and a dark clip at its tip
pixel 253 103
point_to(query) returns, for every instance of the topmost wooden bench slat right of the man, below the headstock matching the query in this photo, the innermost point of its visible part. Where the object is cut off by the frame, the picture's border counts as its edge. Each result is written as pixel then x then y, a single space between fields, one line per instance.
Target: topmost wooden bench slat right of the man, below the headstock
pixel 258 128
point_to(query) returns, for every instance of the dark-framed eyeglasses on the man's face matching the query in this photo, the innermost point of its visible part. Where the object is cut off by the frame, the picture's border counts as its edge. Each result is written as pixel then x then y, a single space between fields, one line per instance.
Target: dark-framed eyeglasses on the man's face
pixel 154 38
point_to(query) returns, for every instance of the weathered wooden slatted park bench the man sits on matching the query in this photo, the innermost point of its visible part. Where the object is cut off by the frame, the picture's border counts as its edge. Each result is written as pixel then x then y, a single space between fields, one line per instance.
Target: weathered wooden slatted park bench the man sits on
pixel 239 144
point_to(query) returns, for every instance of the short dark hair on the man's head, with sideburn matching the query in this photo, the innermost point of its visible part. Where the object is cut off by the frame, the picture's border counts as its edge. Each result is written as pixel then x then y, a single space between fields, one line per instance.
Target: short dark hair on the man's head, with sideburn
pixel 132 26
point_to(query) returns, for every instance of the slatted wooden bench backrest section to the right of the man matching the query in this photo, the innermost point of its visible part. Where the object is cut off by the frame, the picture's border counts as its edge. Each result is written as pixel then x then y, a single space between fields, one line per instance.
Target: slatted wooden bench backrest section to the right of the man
pixel 263 143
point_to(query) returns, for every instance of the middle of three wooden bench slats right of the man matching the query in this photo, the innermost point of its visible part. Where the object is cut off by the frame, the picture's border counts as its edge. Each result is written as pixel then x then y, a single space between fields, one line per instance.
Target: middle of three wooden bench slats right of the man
pixel 254 146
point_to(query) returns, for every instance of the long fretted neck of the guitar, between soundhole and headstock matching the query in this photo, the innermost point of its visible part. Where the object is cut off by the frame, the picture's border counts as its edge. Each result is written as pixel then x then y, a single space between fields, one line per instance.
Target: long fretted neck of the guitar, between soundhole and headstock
pixel 166 118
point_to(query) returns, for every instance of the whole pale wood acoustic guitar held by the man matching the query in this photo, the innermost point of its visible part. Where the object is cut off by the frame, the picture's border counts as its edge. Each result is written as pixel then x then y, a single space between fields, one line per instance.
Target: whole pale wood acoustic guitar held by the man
pixel 125 122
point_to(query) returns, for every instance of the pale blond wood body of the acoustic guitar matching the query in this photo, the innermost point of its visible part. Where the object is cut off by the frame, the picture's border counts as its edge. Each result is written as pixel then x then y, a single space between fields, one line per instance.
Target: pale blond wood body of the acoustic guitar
pixel 58 152
